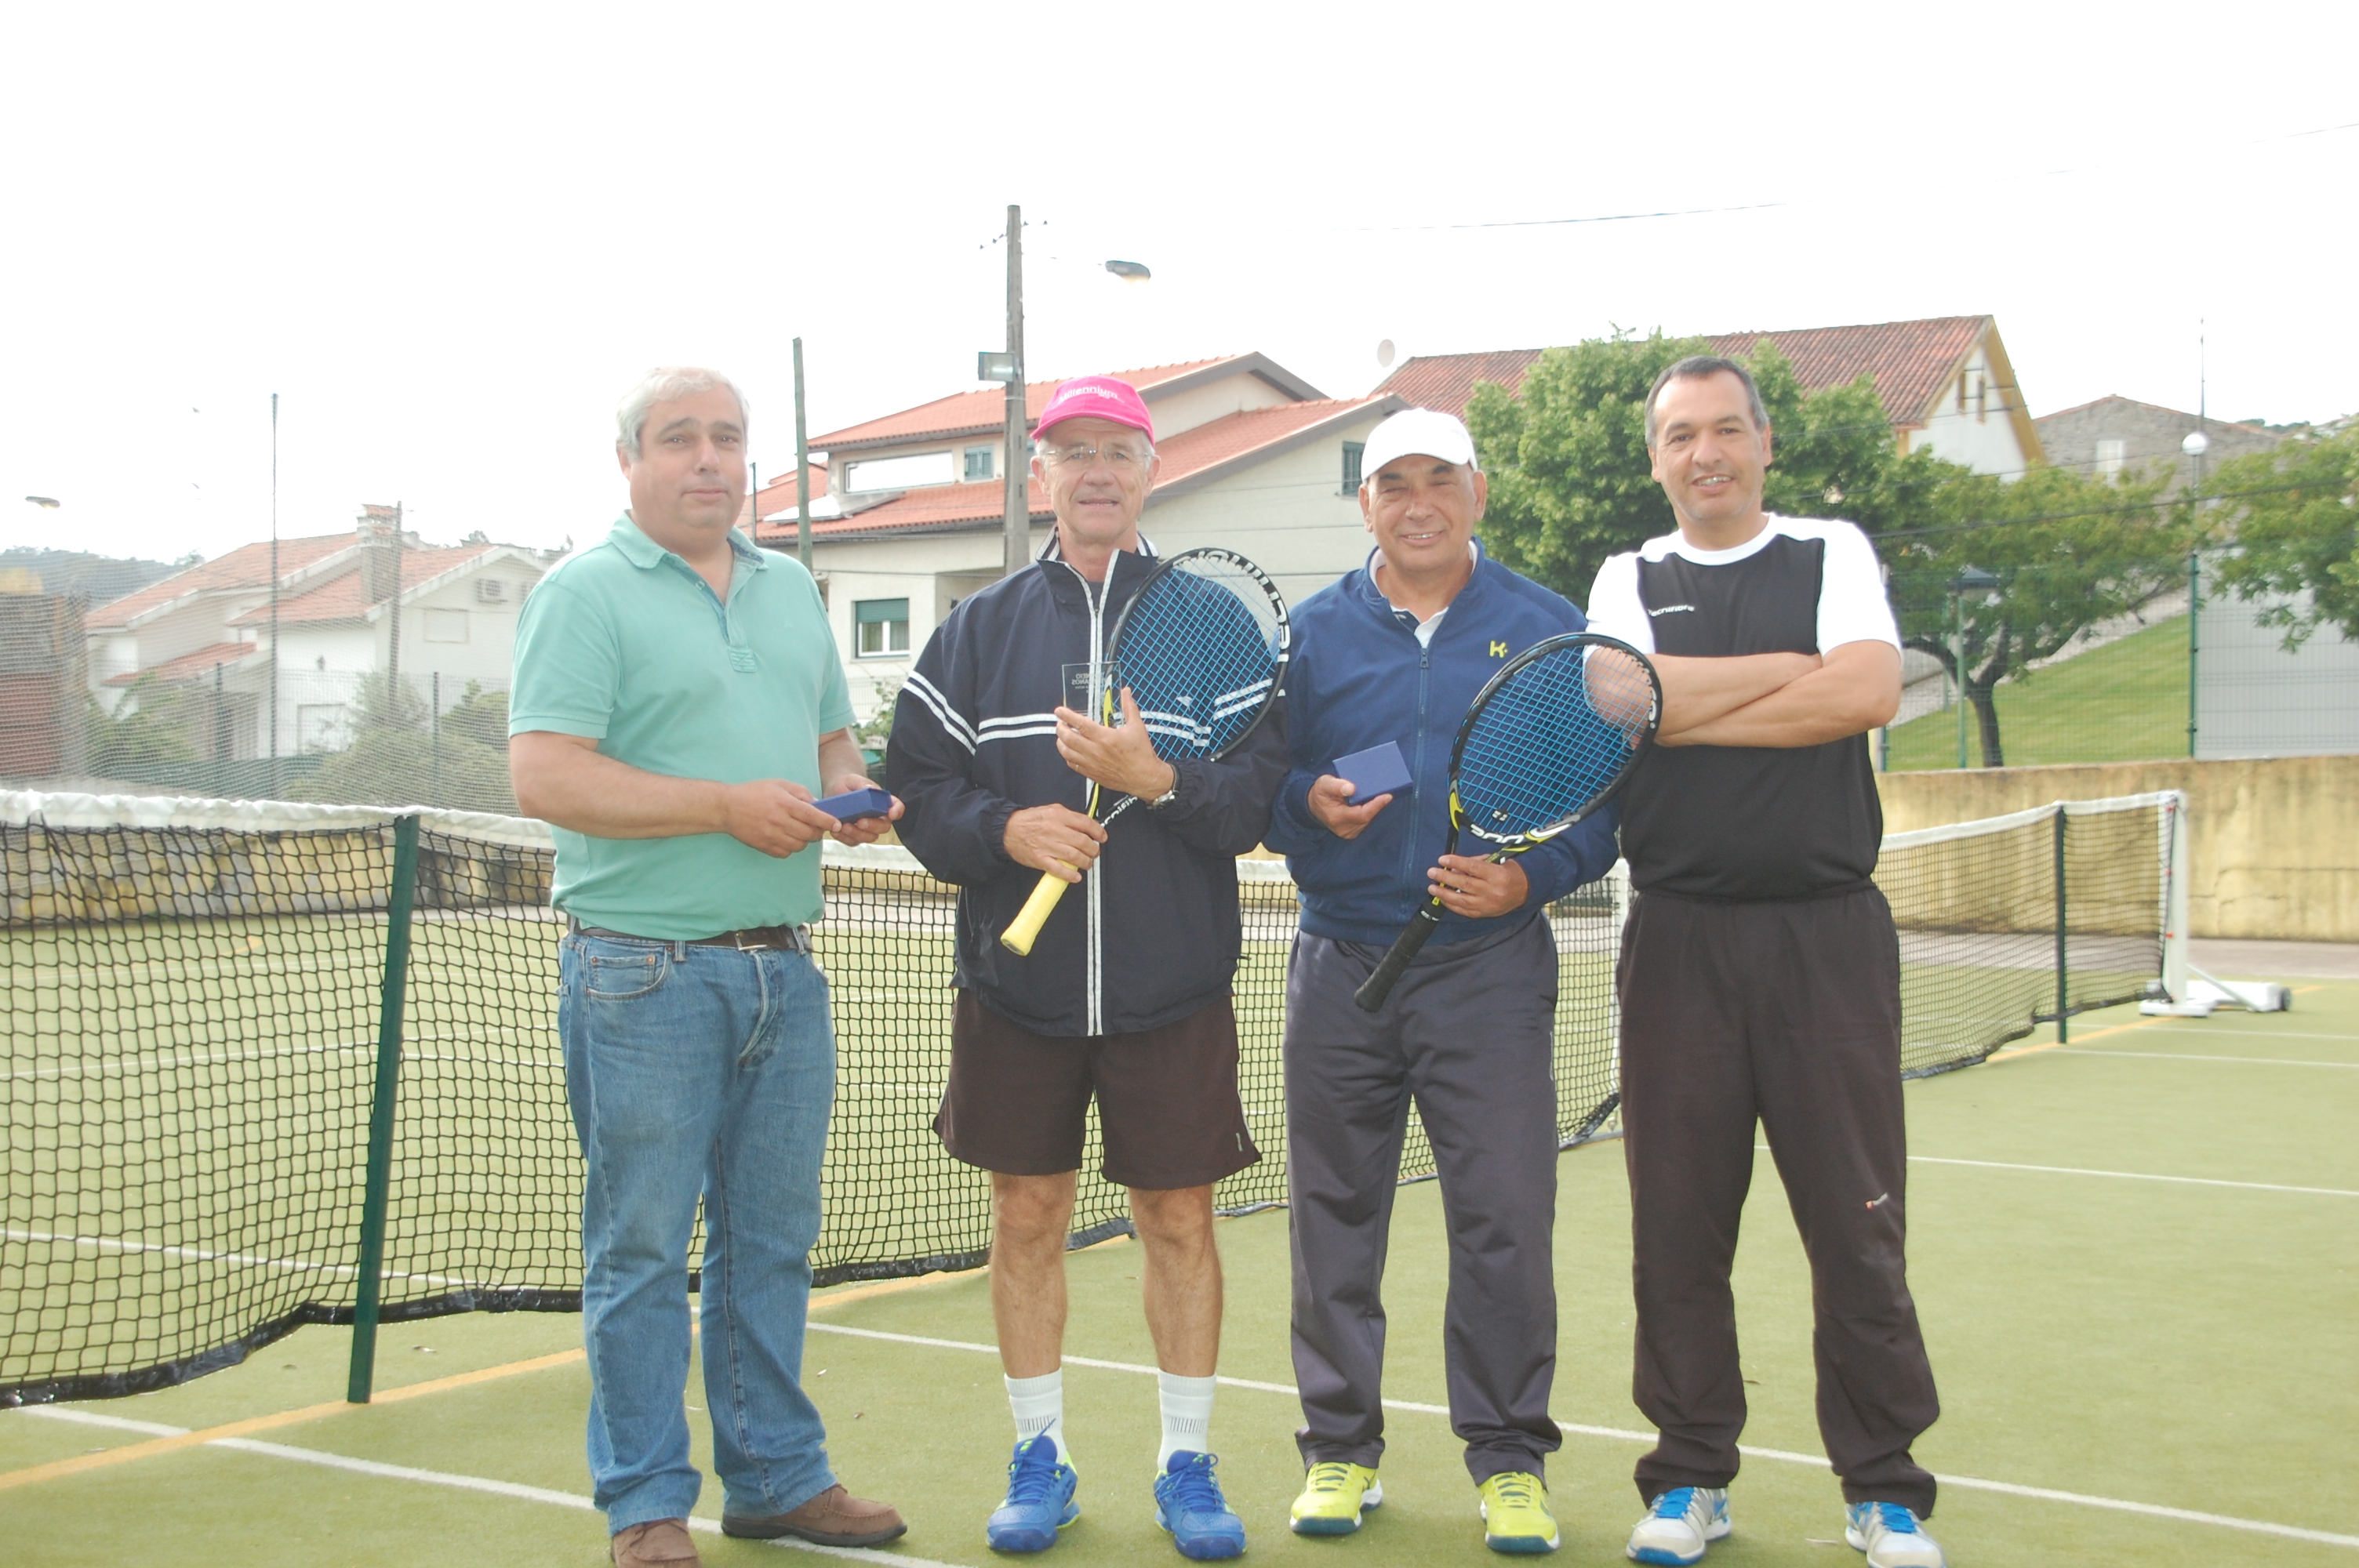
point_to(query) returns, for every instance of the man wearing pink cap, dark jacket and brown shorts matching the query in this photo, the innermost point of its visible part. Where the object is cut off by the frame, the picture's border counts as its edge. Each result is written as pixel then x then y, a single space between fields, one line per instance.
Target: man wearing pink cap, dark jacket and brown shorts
pixel 1126 991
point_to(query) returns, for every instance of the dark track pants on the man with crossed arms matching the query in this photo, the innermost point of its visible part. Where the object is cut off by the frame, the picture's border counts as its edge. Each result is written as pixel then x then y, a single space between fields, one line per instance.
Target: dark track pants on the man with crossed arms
pixel 1785 1013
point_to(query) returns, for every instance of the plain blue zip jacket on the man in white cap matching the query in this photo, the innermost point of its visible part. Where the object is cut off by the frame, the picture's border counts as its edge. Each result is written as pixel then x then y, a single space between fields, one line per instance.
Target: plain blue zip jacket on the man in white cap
pixel 1360 678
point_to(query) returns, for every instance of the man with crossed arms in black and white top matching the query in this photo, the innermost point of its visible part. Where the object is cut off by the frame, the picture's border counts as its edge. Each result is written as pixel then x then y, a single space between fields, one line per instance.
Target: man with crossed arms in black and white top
pixel 1761 975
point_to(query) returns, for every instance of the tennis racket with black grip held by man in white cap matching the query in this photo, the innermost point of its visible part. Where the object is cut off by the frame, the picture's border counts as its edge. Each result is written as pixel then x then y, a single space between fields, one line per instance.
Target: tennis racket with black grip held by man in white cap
pixel 1549 742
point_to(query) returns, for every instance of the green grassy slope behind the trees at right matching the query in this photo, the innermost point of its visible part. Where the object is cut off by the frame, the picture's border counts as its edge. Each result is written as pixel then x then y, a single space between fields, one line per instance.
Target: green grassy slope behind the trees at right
pixel 2117 704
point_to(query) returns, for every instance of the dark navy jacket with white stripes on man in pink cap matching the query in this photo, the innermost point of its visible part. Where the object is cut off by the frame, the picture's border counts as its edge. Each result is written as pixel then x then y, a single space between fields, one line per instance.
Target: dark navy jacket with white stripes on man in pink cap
pixel 1152 933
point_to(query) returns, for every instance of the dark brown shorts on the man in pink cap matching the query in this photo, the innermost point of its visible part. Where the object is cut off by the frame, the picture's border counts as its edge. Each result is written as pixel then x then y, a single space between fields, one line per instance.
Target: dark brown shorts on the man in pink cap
pixel 1167 1100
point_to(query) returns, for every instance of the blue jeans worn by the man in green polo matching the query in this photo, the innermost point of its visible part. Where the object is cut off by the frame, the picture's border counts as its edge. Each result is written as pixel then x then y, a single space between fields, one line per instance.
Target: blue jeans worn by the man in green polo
pixel 697 1074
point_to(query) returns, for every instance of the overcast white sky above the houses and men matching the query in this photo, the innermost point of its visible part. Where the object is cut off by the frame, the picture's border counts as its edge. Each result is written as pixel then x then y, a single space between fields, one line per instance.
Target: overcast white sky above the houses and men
pixel 452 237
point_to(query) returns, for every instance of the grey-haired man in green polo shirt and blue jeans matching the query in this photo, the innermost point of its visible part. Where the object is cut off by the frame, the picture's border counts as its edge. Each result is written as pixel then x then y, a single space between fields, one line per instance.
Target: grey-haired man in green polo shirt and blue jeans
pixel 678 709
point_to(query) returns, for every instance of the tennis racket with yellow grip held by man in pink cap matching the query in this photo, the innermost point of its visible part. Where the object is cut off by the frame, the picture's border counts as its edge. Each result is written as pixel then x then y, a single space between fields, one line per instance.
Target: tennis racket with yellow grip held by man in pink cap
pixel 1202 647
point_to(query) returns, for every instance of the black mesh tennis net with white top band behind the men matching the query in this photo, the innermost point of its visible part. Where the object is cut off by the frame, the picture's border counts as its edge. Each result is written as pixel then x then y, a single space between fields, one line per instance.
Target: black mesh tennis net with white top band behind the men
pixel 197 1039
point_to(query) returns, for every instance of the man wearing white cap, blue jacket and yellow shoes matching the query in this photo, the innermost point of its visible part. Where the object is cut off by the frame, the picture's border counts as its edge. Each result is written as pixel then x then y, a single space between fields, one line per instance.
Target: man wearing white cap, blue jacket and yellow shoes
pixel 1395 652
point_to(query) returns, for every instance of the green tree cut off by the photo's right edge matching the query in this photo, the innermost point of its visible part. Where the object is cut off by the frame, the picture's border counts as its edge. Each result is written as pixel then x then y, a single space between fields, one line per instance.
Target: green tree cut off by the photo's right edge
pixel 2296 541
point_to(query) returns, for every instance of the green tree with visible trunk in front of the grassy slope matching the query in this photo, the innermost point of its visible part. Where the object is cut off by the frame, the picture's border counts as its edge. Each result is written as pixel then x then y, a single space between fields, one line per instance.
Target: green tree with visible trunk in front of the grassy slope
pixel 2018 569
